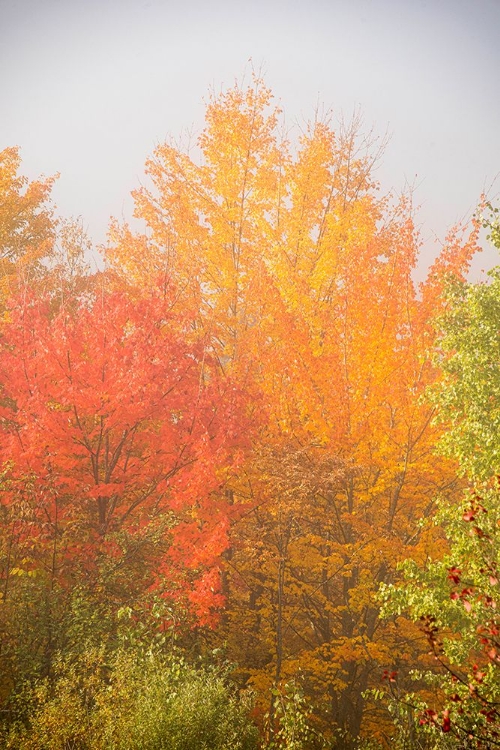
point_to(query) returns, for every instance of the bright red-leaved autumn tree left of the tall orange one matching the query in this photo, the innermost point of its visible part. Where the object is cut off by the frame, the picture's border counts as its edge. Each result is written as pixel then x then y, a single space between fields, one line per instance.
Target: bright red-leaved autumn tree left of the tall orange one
pixel 117 437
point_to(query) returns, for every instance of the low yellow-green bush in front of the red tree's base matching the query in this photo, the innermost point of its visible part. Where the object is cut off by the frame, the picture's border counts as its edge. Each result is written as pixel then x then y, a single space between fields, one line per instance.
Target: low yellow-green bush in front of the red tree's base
pixel 133 699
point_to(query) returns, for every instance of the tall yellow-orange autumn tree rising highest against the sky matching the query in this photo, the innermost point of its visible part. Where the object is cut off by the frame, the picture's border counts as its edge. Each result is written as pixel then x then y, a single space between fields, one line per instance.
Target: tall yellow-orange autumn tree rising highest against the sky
pixel 301 273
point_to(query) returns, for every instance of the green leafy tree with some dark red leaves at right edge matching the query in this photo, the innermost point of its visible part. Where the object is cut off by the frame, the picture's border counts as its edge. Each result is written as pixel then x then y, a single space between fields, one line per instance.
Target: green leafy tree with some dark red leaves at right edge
pixel 455 598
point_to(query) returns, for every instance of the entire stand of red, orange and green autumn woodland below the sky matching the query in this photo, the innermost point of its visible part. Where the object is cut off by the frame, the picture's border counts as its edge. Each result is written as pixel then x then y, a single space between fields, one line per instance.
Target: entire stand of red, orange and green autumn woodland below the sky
pixel 250 467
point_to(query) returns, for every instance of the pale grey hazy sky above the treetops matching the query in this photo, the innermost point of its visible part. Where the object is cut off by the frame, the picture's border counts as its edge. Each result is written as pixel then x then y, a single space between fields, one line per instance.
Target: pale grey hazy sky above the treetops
pixel 88 87
